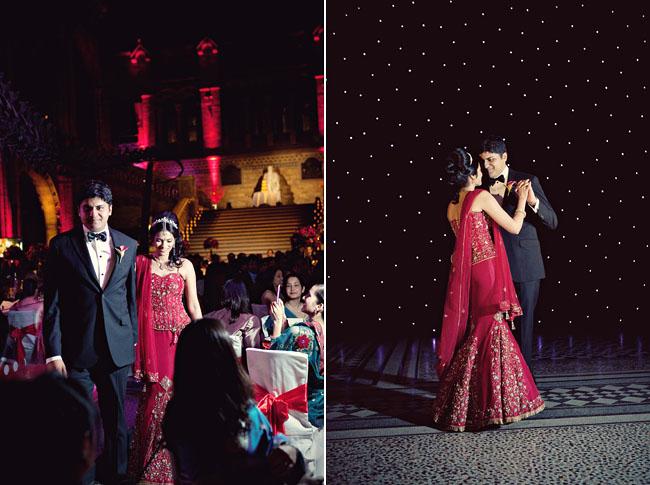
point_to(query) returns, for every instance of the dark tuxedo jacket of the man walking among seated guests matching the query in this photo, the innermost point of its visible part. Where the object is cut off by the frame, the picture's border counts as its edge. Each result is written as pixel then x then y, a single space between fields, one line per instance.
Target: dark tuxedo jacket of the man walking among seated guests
pixel 76 307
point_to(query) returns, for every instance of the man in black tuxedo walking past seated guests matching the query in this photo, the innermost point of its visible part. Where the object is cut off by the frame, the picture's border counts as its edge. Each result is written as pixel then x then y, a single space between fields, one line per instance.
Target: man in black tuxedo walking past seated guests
pixel 90 322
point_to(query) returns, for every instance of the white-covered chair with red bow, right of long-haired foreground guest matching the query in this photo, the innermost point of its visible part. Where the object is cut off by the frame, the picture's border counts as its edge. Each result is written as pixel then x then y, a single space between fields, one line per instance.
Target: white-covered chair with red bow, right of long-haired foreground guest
pixel 280 388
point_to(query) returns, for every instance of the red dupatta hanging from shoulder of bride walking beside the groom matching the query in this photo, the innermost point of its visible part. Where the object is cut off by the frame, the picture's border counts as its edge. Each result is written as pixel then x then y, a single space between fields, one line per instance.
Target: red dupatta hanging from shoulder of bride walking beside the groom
pixel 145 366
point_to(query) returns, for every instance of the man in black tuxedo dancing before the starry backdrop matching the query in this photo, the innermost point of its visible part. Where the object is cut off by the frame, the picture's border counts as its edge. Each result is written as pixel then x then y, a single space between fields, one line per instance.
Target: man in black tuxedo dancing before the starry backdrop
pixel 523 249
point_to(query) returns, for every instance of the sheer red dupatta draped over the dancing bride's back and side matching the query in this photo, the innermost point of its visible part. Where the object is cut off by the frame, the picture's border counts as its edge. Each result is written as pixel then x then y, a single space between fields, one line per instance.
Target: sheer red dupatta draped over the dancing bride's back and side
pixel 456 309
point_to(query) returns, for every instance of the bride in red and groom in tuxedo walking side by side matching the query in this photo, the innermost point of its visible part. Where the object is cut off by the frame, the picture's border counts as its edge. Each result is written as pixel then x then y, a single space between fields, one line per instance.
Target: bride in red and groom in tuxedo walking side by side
pixel 100 300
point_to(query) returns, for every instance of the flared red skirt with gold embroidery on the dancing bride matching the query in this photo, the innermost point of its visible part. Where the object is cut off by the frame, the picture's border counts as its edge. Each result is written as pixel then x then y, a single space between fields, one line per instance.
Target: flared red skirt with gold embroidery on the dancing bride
pixel 488 381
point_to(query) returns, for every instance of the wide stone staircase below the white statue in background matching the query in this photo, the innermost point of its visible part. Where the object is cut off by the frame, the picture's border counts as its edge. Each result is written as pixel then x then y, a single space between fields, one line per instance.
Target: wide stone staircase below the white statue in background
pixel 252 230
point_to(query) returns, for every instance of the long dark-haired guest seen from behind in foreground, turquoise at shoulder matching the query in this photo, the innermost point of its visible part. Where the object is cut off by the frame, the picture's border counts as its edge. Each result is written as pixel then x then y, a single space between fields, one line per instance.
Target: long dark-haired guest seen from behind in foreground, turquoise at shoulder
pixel 214 430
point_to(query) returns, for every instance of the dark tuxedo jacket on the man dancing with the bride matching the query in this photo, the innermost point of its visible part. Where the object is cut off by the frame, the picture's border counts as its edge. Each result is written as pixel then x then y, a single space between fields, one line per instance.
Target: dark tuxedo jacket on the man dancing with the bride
pixel 523 249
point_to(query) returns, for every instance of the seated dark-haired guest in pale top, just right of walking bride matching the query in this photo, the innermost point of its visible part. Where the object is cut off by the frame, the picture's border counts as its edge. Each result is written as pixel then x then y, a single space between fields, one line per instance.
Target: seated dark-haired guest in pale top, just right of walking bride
pixel 244 328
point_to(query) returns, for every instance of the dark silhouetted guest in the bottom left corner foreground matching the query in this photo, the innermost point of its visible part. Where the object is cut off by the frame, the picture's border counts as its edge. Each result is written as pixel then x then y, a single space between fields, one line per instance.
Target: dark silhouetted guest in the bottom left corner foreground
pixel 48 436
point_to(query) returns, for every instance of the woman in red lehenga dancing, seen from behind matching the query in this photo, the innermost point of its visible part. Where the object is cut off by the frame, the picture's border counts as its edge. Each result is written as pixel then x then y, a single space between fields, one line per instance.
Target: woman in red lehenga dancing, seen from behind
pixel 484 379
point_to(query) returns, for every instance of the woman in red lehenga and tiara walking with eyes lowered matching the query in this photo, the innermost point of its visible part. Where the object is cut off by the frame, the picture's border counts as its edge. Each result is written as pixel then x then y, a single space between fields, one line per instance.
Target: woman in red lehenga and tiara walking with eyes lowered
pixel 162 279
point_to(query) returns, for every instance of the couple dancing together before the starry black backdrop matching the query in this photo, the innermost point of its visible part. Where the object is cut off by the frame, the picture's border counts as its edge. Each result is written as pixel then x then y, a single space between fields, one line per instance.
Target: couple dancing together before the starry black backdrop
pixel 485 378
